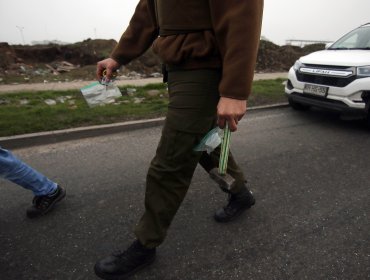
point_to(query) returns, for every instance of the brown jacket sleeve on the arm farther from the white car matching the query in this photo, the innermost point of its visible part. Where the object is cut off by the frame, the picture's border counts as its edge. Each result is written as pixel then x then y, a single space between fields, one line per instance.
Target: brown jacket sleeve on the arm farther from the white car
pixel 139 35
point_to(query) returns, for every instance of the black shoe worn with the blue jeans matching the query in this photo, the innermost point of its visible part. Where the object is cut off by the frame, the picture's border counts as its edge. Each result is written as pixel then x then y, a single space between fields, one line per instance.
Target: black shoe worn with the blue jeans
pixel 45 203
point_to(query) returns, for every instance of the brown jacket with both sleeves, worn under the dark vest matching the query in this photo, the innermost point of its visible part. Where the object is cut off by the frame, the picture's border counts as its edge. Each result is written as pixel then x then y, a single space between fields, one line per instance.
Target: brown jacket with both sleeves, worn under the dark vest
pixel 232 44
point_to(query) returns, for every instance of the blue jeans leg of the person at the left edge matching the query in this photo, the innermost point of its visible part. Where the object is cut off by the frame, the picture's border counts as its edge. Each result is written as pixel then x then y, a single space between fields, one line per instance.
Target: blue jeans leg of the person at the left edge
pixel 15 170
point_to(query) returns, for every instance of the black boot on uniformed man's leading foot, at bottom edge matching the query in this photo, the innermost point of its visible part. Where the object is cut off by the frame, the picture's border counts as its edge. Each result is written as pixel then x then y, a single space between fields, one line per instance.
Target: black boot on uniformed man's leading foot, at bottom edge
pixel 121 265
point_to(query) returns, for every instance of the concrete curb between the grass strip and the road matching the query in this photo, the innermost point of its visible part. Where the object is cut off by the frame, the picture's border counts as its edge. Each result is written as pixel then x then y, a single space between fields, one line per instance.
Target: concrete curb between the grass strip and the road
pixel 51 137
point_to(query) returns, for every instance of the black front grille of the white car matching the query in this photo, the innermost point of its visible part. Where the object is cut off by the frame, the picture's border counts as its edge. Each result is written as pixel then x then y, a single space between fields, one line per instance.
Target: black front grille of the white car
pixel 325 80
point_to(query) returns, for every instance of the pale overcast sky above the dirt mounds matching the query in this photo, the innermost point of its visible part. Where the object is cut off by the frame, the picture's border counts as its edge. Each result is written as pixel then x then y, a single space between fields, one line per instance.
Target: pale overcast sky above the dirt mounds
pixel 75 20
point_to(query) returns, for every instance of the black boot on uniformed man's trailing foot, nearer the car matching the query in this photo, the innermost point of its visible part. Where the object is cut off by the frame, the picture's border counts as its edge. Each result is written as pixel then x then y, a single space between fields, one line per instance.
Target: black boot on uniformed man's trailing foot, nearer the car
pixel 238 203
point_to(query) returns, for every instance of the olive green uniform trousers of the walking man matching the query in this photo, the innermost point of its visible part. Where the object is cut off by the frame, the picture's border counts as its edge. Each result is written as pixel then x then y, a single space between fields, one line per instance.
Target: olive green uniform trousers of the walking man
pixel 193 99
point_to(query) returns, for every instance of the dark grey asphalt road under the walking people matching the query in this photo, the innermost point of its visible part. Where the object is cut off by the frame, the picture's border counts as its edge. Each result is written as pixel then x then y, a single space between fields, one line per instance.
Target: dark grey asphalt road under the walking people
pixel 309 172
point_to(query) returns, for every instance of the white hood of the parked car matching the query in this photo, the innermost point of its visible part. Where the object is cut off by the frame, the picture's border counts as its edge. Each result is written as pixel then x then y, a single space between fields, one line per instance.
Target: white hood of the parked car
pixel 338 58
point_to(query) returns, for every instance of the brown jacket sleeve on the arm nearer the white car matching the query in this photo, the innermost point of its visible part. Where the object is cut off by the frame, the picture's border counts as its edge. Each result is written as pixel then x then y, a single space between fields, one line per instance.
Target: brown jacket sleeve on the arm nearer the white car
pixel 237 26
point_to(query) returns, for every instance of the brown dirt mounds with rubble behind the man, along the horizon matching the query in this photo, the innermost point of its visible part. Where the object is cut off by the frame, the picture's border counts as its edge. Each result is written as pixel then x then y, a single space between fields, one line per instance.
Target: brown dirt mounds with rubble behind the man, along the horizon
pixel 39 62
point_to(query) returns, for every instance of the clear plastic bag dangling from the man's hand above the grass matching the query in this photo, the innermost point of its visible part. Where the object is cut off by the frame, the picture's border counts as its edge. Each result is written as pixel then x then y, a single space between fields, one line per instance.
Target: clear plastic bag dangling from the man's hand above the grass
pixel 97 94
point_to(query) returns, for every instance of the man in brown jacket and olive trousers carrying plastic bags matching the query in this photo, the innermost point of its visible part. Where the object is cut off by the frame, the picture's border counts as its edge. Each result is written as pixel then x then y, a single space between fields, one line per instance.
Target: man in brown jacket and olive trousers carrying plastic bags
pixel 209 48
